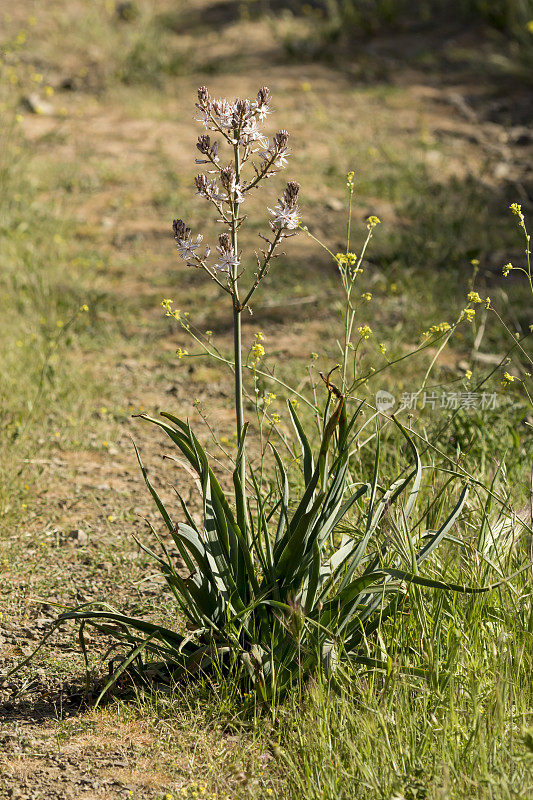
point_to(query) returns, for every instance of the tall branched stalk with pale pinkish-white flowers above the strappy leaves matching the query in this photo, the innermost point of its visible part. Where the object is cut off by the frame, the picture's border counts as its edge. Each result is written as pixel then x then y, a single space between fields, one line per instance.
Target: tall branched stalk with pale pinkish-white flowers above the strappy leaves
pixel 239 124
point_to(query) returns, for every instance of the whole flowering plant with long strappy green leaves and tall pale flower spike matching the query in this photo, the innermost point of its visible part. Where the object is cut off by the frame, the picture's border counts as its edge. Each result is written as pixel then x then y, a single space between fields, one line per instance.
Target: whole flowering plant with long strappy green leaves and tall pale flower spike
pixel 275 582
